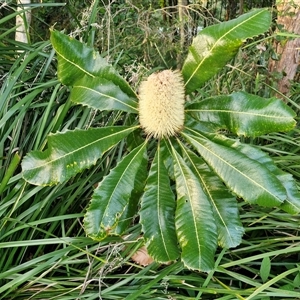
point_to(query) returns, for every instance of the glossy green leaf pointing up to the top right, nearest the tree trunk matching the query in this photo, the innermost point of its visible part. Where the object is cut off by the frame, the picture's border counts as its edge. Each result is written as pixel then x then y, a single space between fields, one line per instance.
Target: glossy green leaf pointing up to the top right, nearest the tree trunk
pixel 215 45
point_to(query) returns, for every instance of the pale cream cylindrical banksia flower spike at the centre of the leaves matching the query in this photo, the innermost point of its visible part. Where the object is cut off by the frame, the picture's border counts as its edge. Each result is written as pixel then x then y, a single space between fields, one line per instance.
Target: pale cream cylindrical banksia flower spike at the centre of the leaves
pixel 161 104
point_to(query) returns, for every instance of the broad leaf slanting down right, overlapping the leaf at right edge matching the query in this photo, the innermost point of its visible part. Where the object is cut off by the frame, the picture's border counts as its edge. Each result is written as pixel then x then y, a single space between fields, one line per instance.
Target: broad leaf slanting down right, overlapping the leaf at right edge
pixel 245 177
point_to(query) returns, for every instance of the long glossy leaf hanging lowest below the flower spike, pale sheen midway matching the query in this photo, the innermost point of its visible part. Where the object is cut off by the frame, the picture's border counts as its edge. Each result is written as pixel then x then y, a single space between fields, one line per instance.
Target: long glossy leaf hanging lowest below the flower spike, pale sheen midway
pixel 194 219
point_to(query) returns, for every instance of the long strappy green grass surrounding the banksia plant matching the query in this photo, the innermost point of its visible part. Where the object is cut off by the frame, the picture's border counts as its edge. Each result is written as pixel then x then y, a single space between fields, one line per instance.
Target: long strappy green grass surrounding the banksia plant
pixel 44 253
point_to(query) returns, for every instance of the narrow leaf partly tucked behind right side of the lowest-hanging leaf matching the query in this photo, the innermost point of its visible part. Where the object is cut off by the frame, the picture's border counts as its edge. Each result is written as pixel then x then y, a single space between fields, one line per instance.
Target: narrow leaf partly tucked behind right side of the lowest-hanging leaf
pixel 225 208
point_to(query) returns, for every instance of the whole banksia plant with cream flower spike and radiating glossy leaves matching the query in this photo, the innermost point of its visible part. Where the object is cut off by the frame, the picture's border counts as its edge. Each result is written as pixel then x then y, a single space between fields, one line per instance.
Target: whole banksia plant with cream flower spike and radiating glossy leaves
pixel 182 176
